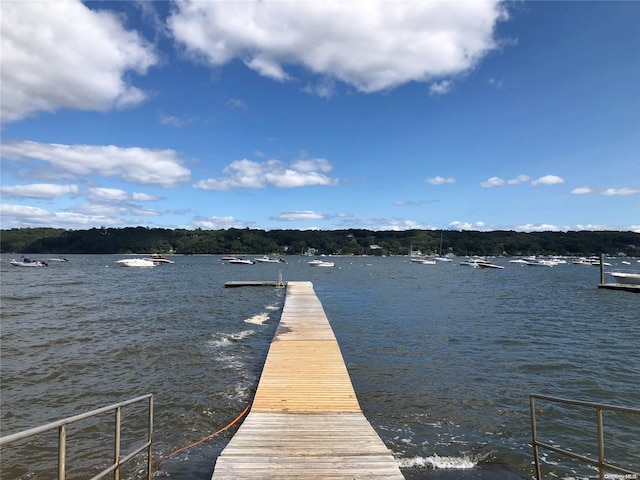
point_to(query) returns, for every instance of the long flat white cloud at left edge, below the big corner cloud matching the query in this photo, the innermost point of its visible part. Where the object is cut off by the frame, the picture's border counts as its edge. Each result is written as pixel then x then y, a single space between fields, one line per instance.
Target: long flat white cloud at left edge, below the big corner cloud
pixel 136 165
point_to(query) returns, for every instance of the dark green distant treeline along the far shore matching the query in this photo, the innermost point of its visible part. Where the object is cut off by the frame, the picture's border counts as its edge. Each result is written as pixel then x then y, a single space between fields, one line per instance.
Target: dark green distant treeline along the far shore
pixel 295 242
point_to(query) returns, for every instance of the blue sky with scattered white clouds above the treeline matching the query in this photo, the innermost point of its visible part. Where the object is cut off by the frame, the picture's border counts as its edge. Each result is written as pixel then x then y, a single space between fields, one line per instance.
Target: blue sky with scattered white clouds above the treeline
pixel 475 115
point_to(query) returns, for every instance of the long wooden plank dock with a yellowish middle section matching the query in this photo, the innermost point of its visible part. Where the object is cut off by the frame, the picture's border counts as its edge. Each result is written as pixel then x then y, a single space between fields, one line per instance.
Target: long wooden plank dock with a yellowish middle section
pixel 305 421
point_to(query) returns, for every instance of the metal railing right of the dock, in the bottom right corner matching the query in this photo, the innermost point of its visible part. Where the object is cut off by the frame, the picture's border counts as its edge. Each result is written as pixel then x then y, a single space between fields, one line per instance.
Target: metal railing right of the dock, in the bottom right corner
pixel 602 465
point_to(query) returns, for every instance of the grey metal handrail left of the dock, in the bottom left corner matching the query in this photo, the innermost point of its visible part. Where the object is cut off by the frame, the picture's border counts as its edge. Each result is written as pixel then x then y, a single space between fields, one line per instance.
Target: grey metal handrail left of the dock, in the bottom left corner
pixel 61 426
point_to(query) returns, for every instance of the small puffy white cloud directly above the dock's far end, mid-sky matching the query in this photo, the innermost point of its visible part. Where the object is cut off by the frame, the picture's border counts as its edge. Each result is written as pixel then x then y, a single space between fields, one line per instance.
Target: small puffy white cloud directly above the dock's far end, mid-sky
pixel 249 174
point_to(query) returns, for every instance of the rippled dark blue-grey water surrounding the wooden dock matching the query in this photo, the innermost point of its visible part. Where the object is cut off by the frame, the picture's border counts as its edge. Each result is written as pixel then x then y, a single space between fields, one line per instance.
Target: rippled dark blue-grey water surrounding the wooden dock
pixel 442 357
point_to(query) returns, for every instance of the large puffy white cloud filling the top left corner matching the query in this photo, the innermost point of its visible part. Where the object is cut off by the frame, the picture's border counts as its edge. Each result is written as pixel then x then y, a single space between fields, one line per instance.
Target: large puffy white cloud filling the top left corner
pixel 64 55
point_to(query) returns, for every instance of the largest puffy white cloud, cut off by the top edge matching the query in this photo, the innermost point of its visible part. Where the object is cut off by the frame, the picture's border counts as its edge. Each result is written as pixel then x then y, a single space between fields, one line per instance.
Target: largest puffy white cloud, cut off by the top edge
pixel 372 45
